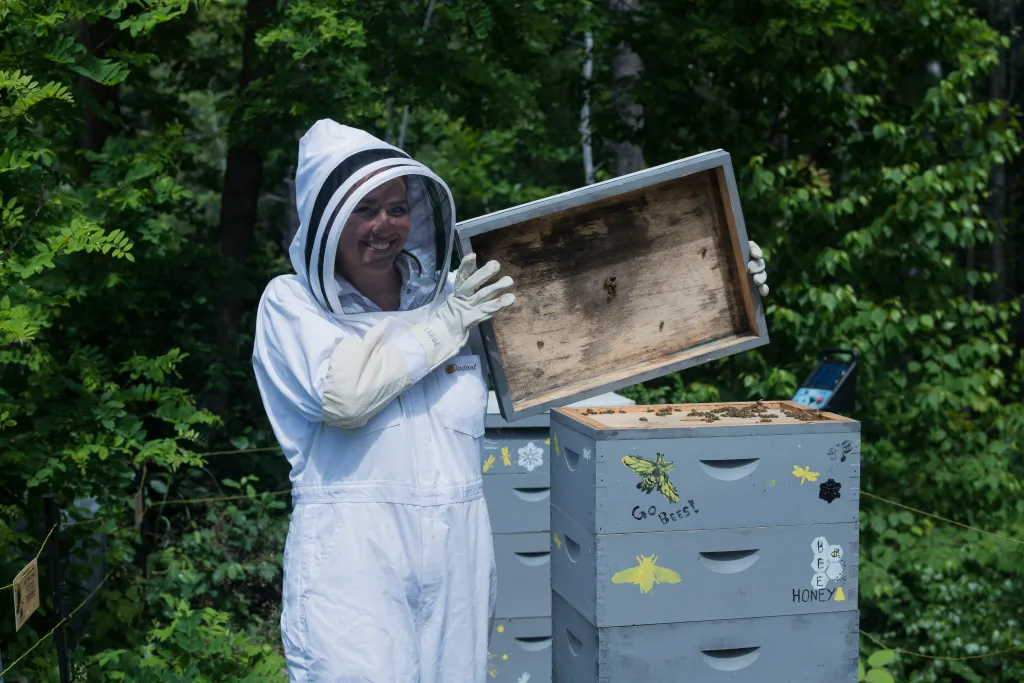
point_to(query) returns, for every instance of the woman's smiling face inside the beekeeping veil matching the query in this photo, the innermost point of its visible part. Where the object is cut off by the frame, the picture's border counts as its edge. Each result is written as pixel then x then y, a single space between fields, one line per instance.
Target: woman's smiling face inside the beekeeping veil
pixel 376 231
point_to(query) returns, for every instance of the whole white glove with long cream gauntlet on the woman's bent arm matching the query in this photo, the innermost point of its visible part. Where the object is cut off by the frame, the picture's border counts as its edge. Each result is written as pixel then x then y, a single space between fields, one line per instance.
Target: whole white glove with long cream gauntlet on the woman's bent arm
pixel 365 375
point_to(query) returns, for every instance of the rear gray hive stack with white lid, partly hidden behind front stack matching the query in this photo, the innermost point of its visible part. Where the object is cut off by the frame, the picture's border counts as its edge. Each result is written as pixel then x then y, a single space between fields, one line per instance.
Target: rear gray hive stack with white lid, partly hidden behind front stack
pixel 517 486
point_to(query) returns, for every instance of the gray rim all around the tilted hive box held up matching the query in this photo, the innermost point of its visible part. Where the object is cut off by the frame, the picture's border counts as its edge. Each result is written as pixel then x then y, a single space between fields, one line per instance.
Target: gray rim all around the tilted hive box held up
pixel 709 161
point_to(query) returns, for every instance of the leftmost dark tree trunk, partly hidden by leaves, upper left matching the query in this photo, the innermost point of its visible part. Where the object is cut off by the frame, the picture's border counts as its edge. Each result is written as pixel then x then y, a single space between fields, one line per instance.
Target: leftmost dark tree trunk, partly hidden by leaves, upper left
pixel 101 102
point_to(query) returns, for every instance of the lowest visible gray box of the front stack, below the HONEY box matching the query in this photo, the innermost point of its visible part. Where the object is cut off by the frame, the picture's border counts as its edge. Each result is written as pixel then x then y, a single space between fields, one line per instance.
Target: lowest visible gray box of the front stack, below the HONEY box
pixel 814 649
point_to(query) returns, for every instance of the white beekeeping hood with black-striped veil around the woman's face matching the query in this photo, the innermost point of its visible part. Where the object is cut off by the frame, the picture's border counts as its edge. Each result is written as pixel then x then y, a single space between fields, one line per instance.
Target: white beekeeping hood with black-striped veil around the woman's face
pixel 333 160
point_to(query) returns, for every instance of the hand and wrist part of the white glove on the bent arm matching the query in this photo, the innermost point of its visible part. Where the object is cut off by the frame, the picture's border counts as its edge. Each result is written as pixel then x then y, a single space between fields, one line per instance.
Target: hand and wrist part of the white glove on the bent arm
pixel 472 304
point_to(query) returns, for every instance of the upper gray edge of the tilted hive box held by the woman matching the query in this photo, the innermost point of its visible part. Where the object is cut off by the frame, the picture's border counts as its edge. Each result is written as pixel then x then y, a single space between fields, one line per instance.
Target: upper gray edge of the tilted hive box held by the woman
pixel 588 194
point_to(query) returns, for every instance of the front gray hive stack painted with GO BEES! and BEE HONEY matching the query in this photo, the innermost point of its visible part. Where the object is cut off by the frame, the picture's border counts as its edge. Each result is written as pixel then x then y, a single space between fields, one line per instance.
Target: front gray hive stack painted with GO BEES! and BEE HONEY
pixel 705 544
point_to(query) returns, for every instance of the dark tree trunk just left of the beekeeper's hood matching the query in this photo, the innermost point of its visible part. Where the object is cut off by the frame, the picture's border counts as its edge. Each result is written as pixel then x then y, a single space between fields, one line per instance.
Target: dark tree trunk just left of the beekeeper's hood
pixel 240 197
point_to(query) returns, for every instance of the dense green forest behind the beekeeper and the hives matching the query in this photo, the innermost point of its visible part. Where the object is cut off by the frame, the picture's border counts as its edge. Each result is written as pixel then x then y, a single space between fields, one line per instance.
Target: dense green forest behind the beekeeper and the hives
pixel 147 151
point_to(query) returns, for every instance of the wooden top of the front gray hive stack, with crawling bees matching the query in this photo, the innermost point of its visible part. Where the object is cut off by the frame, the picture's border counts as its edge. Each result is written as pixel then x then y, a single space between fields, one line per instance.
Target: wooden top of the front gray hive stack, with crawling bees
pixel 592 426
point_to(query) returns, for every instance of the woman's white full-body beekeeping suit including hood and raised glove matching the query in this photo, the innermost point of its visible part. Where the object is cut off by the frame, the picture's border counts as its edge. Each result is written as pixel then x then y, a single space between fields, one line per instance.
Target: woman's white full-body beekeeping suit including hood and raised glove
pixel 390 573
